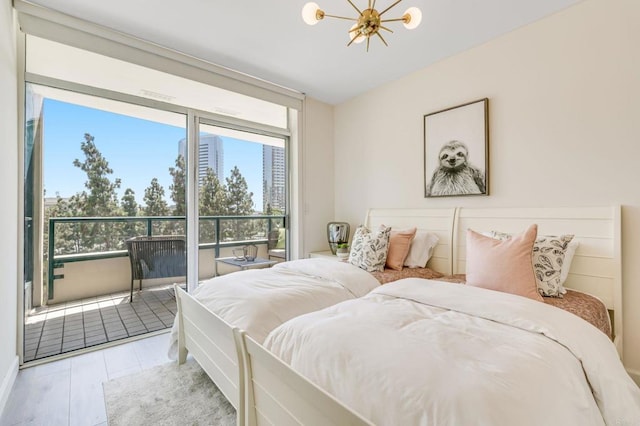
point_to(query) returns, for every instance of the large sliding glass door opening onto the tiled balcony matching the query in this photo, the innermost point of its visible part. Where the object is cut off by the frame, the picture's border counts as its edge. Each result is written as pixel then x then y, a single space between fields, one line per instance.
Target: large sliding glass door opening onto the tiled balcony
pixel 135 180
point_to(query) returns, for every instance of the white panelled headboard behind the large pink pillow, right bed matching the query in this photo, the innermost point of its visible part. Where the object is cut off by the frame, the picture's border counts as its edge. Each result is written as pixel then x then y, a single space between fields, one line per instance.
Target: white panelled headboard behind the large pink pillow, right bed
pixel 596 267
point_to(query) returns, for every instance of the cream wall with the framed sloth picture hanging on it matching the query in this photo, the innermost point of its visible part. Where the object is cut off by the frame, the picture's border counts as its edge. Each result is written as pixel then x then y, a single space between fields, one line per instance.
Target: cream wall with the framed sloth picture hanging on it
pixel 564 127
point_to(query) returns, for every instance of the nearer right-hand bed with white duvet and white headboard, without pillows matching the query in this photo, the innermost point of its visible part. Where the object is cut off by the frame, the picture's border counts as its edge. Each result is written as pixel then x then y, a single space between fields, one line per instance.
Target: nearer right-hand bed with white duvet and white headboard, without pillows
pixel 375 354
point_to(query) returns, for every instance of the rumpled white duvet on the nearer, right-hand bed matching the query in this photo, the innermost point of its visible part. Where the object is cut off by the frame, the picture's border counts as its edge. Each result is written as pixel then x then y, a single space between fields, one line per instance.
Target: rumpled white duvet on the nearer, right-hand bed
pixel 421 352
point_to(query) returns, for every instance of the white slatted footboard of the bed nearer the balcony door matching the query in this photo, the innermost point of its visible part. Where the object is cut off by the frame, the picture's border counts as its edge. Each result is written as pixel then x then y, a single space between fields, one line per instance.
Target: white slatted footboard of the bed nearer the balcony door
pixel 211 342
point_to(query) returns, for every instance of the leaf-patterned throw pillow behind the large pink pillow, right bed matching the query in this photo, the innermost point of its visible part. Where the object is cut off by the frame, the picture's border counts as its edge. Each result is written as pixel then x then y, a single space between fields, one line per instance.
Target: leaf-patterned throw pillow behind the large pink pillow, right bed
pixel 551 261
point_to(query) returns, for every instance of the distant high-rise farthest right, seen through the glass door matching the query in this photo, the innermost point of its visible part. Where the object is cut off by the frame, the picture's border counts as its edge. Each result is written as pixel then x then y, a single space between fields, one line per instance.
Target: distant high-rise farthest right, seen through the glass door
pixel 273 177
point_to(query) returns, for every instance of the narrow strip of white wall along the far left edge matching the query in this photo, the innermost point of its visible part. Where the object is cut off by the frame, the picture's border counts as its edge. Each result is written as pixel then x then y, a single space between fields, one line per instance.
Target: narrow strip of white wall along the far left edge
pixel 9 197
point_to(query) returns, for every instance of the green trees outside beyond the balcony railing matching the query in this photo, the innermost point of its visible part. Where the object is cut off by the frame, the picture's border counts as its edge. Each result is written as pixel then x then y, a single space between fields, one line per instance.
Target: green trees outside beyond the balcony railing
pixel 99 199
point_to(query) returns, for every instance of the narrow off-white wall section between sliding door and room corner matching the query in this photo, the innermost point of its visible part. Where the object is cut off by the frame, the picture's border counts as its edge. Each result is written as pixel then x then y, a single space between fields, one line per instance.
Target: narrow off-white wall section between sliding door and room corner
pixel 318 173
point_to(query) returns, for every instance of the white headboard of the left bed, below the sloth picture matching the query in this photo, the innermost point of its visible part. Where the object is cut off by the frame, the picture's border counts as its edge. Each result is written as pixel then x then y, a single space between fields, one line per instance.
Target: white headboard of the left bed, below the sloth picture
pixel 438 221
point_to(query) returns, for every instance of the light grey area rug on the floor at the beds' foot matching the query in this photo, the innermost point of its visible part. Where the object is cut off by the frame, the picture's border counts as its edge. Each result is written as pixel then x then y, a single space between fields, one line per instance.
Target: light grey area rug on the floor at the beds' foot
pixel 168 394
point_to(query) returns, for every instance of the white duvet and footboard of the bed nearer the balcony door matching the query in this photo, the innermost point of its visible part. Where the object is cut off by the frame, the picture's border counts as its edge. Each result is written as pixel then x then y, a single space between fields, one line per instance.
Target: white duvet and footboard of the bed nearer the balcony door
pixel 255 301
